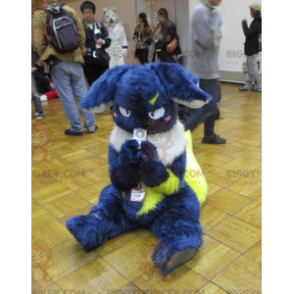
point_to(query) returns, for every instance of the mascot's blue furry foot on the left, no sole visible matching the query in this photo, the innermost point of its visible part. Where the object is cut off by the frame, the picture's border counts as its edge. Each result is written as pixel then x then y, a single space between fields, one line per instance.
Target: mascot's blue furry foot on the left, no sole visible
pixel 85 229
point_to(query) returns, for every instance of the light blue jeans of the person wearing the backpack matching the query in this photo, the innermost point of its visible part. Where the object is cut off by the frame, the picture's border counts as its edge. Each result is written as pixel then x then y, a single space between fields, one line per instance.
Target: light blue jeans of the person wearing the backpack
pixel 68 78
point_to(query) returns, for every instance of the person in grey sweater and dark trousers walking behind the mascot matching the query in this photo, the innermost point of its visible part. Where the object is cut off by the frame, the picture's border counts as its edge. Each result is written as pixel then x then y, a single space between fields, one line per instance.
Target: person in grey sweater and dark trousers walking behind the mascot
pixel 205 41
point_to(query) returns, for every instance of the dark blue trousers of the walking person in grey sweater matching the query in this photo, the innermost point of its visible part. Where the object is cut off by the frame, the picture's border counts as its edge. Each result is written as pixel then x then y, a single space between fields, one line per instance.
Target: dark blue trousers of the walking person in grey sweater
pixel 207 113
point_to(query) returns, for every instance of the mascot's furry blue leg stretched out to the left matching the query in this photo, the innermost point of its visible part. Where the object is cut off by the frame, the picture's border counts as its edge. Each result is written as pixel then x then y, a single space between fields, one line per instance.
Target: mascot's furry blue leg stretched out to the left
pixel 105 221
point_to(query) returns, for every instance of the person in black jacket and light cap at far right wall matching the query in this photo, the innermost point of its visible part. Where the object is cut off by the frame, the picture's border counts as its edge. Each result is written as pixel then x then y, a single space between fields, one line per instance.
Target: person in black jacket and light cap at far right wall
pixel 252 35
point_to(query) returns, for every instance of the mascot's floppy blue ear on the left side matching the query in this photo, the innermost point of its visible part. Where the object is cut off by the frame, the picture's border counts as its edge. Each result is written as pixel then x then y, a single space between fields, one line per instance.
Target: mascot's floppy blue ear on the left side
pixel 102 92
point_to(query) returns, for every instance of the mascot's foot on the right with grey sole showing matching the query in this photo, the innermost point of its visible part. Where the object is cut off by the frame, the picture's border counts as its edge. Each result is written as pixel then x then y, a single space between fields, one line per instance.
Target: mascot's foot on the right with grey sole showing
pixel 163 258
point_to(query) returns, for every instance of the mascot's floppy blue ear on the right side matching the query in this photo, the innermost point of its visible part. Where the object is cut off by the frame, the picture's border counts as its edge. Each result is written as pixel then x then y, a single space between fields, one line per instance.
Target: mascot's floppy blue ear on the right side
pixel 180 85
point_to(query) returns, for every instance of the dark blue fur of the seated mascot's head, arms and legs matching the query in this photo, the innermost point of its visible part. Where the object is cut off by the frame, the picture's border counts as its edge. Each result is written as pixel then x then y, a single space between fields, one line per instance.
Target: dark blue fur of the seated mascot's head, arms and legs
pixel 176 219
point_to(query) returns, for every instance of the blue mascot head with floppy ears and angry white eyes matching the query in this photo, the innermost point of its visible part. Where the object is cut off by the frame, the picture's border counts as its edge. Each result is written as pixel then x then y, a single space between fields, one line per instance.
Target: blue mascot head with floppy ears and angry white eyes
pixel 145 95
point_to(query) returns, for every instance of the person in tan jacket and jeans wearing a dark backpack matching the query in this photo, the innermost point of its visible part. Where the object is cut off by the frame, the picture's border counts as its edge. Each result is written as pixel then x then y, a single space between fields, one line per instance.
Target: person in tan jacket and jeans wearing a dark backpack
pixel 63 59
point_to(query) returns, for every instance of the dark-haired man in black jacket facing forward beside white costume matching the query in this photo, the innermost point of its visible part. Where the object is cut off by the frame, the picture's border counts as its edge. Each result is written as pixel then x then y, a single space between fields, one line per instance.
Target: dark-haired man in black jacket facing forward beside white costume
pixel 96 35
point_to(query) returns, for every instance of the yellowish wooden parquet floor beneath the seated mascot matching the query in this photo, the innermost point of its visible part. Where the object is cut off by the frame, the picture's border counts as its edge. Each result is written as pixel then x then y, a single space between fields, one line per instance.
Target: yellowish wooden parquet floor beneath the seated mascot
pixel 68 174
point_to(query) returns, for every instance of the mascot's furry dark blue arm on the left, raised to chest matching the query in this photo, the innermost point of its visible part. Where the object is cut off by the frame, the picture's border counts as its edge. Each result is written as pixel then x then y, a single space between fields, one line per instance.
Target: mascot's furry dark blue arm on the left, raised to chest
pixel 124 166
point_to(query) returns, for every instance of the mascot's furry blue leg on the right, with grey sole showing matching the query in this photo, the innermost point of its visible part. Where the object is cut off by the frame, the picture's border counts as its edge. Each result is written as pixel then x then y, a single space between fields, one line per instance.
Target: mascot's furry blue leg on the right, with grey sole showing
pixel 179 231
